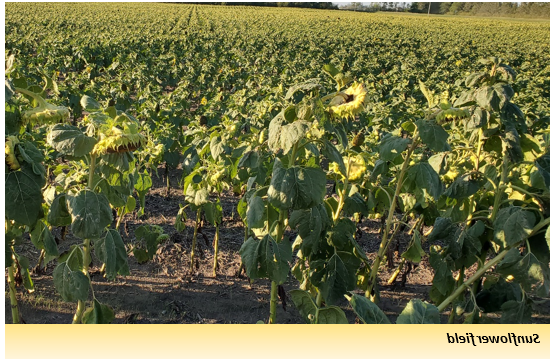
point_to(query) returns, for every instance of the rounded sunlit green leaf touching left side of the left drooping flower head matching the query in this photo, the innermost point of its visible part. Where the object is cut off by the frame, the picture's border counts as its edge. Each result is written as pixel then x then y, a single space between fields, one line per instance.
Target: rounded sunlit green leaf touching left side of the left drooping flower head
pixel 70 140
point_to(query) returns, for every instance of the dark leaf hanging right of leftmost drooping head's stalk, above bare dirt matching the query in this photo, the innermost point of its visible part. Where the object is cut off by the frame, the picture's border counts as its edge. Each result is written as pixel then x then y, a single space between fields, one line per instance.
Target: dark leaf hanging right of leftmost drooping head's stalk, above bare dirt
pixel 111 251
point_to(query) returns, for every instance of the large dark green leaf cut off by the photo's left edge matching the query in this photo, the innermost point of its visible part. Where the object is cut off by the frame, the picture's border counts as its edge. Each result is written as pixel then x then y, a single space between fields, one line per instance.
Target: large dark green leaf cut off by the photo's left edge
pixel 23 190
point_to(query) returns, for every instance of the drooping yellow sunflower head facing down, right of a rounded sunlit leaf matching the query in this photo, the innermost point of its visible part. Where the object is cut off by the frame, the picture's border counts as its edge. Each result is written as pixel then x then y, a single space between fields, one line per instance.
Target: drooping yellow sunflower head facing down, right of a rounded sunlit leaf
pixel 117 140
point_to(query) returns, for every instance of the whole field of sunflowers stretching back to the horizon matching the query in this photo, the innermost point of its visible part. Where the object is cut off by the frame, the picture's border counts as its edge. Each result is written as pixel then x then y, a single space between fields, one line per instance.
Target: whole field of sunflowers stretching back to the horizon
pixel 180 163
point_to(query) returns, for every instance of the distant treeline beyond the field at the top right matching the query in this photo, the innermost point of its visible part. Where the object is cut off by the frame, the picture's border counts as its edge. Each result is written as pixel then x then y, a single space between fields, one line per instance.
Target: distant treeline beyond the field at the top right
pixel 504 9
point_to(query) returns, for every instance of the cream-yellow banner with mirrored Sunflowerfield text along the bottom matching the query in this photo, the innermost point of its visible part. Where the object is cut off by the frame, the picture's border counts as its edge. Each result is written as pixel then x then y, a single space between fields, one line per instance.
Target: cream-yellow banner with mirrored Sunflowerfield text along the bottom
pixel 278 341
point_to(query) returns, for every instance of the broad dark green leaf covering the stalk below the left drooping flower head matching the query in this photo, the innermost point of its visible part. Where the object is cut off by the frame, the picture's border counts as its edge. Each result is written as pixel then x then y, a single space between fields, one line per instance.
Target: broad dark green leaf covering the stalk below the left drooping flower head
pixel 91 213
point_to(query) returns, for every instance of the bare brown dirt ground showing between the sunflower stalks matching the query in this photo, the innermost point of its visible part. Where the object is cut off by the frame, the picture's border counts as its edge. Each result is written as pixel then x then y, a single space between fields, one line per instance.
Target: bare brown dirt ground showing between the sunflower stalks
pixel 164 291
